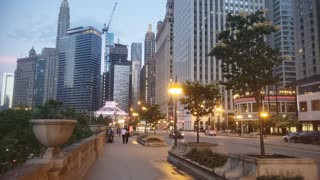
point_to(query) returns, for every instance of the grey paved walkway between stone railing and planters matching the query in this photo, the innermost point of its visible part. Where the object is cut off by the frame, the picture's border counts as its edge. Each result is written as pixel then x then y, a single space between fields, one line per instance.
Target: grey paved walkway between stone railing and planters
pixel 134 162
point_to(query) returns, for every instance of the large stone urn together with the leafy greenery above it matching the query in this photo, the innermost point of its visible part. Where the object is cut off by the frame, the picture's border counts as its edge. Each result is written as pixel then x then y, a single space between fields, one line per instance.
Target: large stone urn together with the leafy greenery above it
pixel 52 127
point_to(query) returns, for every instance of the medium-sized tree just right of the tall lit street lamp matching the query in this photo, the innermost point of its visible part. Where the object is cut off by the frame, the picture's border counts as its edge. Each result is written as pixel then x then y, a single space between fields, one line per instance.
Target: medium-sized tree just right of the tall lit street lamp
pixel 199 99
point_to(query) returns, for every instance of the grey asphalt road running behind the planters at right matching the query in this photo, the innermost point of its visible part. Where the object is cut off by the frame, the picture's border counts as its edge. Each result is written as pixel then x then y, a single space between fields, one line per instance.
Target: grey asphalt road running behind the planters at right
pixel 273 145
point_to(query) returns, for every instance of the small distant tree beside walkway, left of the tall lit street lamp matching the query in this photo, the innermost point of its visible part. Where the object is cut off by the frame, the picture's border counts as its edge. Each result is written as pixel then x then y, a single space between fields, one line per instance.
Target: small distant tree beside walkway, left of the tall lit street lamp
pixel 152 113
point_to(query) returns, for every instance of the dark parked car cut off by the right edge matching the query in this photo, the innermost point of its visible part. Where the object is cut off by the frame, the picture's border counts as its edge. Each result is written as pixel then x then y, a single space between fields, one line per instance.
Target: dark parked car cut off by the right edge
pixel 307 137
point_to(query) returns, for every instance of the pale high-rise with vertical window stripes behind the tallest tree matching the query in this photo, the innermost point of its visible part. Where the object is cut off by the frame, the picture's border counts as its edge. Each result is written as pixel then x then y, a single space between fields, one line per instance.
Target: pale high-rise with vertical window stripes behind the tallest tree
pixel 196 24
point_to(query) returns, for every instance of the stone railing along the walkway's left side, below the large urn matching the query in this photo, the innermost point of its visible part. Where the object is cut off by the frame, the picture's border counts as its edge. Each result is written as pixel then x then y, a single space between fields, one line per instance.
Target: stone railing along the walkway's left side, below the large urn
pixel 75 164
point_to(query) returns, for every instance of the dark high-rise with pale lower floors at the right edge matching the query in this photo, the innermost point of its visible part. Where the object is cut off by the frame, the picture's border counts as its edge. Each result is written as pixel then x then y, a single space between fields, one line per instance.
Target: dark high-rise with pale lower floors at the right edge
pixel 307 39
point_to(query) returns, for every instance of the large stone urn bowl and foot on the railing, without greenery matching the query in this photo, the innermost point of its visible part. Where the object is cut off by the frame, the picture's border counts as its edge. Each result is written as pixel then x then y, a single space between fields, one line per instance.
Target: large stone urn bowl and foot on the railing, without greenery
pixel 52 133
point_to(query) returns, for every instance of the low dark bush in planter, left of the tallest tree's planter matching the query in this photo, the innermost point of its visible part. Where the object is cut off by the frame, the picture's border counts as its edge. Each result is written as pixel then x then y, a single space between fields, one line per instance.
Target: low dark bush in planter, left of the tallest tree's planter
pixel 207 158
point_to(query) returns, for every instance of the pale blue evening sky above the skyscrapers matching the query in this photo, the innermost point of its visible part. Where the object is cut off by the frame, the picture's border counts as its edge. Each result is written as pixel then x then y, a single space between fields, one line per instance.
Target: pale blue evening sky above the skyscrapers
pixel 27 23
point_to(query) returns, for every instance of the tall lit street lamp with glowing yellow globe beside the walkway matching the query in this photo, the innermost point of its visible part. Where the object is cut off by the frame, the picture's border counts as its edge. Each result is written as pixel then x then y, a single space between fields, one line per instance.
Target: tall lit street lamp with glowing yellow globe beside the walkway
pixel 175 90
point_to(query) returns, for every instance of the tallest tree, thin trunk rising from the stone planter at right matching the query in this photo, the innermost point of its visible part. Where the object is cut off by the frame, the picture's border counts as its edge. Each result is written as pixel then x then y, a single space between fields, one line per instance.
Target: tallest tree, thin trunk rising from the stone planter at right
pixel 246 59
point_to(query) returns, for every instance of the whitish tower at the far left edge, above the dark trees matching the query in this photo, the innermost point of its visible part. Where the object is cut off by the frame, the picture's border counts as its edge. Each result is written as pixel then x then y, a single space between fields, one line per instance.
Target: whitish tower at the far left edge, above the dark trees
pixel 6 90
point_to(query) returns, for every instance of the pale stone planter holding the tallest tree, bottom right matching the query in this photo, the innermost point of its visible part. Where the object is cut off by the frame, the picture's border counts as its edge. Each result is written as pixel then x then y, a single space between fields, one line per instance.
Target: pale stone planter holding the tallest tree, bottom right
pixel 247 167
